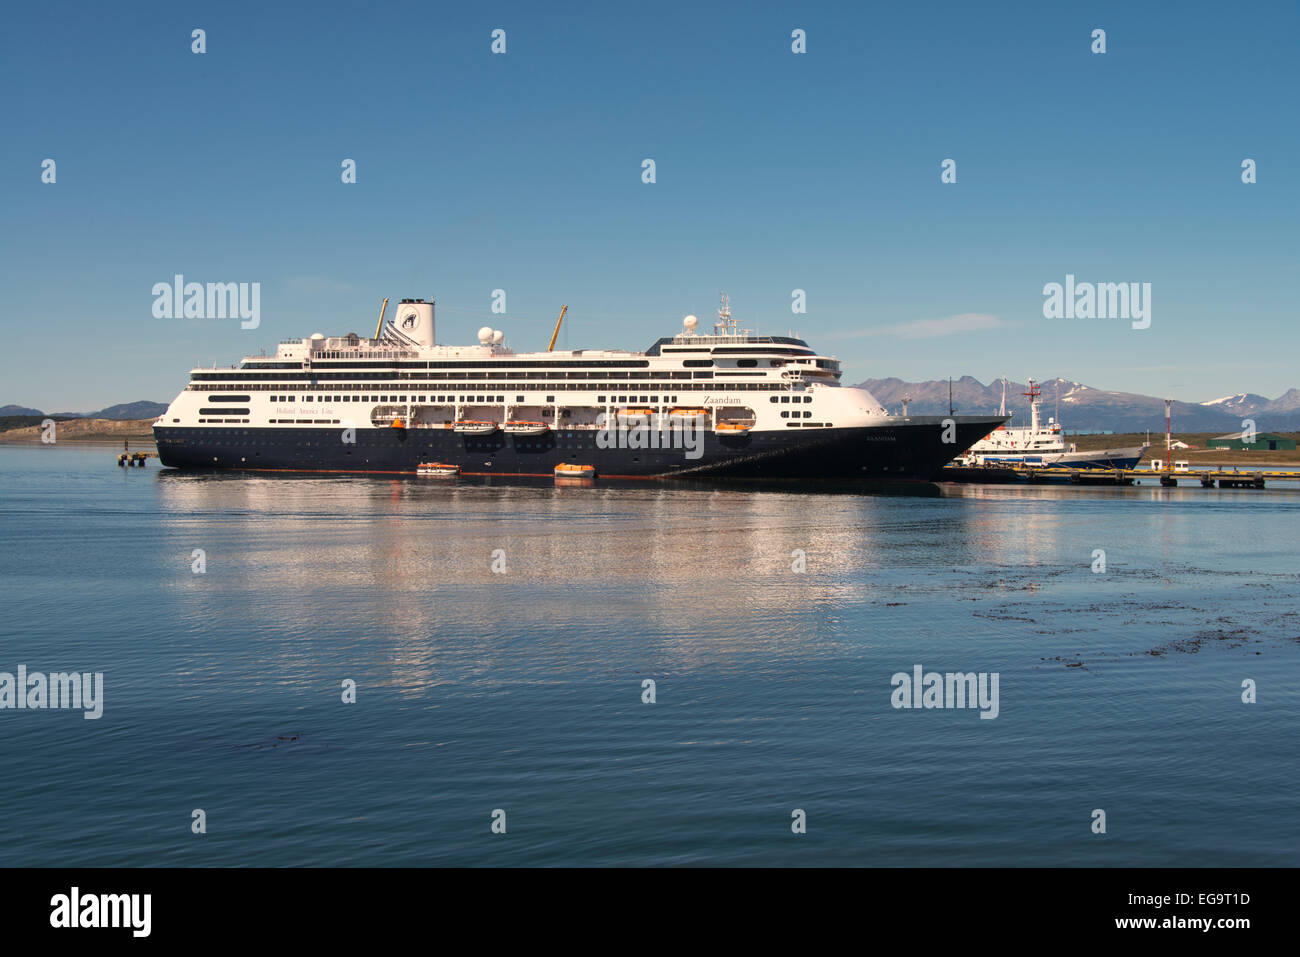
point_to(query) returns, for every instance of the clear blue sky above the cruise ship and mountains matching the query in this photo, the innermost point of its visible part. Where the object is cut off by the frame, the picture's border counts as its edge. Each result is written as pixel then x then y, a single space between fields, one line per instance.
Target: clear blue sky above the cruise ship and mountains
pixel 774 172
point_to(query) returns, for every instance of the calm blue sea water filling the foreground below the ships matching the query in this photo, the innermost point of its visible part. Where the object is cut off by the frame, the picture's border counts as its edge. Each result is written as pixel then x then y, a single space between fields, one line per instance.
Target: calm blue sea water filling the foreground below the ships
pixel 522 691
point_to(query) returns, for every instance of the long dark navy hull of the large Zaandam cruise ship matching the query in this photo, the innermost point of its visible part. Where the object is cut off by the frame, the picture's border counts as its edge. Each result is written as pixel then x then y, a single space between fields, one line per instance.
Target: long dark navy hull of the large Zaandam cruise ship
pixel 908 452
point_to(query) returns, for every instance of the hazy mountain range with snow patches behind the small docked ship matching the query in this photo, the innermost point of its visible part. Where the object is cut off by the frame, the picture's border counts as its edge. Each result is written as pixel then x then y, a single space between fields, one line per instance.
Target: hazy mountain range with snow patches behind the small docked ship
pixel 1093 410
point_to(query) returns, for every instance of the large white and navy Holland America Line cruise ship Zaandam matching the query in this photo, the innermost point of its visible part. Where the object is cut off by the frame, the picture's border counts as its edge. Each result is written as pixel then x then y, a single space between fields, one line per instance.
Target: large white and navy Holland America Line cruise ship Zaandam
pixel 726 404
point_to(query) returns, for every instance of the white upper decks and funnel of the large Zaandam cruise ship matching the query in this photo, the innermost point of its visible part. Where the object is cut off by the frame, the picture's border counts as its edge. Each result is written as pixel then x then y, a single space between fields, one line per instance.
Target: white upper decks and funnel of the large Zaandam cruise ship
pixel 762 383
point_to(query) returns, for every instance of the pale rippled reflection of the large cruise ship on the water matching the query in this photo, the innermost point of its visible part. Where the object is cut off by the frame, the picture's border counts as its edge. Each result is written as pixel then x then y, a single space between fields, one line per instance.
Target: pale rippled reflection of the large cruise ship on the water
pixel 449 577
